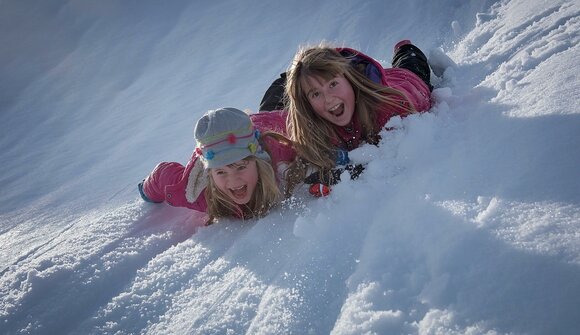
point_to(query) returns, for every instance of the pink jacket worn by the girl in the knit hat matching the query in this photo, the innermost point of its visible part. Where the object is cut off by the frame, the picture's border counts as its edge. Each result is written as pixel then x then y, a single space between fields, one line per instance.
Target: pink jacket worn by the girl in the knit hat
pixel 184 186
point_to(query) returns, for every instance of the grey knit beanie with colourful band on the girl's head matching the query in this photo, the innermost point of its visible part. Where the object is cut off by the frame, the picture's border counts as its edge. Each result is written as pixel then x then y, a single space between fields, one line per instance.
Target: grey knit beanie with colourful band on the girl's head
pixel 225 136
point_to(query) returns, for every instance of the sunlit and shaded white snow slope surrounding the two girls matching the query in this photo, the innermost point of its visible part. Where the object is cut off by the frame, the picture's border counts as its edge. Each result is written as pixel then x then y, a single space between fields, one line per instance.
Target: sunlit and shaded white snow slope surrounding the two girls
pixel 467 220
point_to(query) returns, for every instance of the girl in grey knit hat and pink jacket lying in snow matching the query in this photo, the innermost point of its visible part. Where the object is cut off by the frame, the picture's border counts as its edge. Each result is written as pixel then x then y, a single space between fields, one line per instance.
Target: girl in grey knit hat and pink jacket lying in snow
pixel 236 170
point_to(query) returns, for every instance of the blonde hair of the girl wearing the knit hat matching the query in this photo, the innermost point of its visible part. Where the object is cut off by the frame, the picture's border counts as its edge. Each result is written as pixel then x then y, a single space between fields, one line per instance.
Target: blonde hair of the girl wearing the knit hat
pixel 266 195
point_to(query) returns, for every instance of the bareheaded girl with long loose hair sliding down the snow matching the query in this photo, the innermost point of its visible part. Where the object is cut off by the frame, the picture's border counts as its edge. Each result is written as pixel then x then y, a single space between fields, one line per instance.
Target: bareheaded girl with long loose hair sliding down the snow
pixel 339 98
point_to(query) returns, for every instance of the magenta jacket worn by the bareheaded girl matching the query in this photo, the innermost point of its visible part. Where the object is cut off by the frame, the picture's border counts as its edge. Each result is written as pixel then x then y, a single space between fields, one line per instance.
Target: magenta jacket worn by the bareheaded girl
pixel 415 89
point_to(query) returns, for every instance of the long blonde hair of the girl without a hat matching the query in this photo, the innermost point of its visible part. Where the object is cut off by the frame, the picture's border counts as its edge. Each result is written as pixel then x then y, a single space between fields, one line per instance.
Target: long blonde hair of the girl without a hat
pixel 312 135
